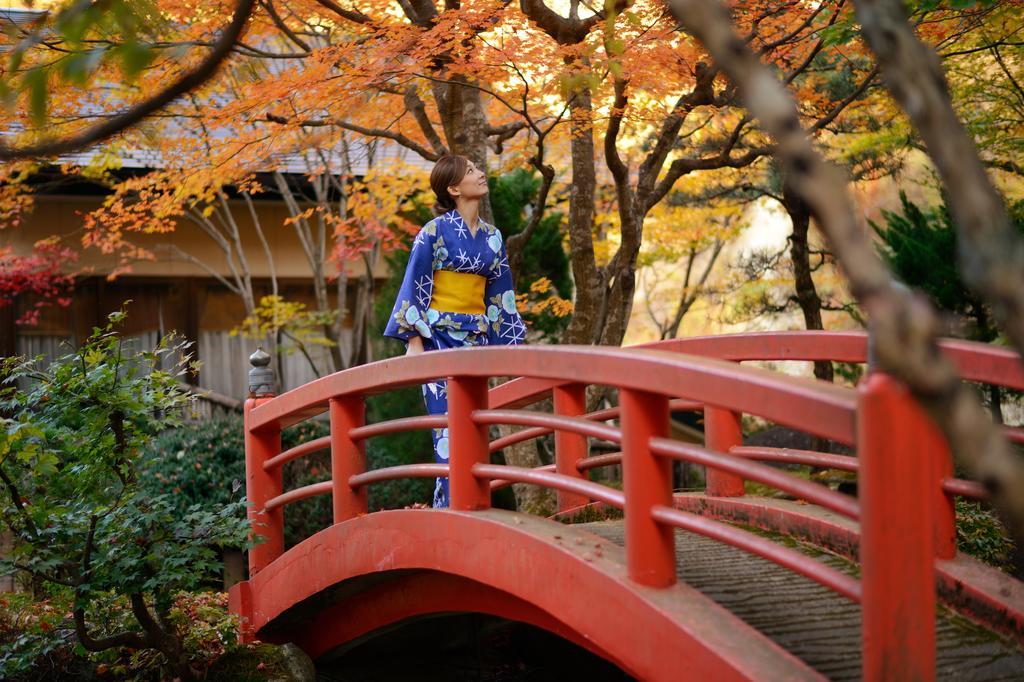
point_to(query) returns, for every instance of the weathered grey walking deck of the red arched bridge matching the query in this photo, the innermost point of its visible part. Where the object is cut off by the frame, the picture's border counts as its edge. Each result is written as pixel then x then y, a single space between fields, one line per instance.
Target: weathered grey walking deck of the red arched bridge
pixel 814 623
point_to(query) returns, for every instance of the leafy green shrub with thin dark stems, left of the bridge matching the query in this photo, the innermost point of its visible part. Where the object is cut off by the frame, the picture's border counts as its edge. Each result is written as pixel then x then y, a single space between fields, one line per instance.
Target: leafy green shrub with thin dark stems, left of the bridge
pixel 71 447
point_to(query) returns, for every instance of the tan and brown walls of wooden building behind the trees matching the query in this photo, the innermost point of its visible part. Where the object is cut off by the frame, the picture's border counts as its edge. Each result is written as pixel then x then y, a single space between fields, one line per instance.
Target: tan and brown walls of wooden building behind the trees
pixel 173 292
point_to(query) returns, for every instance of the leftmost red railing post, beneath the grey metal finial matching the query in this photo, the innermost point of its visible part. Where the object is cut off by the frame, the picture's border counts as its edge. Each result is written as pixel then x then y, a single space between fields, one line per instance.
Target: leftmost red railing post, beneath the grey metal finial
pixel 262 487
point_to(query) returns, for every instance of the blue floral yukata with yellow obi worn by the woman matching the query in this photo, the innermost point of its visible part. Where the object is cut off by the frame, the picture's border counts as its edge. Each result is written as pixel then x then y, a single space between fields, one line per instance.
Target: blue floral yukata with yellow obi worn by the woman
pixel 457 293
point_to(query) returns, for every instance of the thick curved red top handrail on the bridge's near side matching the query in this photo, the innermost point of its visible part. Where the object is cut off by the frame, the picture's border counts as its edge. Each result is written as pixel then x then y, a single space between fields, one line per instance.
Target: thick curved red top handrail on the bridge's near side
pixel 614 367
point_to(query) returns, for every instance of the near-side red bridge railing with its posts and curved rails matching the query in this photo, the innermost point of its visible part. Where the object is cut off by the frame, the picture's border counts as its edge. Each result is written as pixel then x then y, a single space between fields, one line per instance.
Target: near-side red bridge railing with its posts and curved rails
pixel 899 462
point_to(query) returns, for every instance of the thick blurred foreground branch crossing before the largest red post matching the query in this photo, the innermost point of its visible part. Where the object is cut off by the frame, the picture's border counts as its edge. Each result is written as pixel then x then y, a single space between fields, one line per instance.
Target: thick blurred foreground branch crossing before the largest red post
pixel 907 327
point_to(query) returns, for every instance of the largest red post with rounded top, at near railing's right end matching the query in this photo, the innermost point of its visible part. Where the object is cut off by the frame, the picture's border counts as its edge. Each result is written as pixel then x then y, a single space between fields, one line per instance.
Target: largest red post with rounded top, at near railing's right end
pixel 898 537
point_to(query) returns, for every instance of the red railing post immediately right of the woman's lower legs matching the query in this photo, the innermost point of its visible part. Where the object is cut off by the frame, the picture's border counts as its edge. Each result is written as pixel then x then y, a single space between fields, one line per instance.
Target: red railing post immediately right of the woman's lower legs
pixel 468 444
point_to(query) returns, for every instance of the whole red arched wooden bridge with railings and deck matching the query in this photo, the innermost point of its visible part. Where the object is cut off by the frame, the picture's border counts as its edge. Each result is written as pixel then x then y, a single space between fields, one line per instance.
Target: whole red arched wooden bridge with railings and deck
pixel 711 584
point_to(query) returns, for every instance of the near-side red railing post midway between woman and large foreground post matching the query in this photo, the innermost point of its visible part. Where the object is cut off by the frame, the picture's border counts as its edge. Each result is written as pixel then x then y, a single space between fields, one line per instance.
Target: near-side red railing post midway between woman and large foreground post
pixel 651 552
